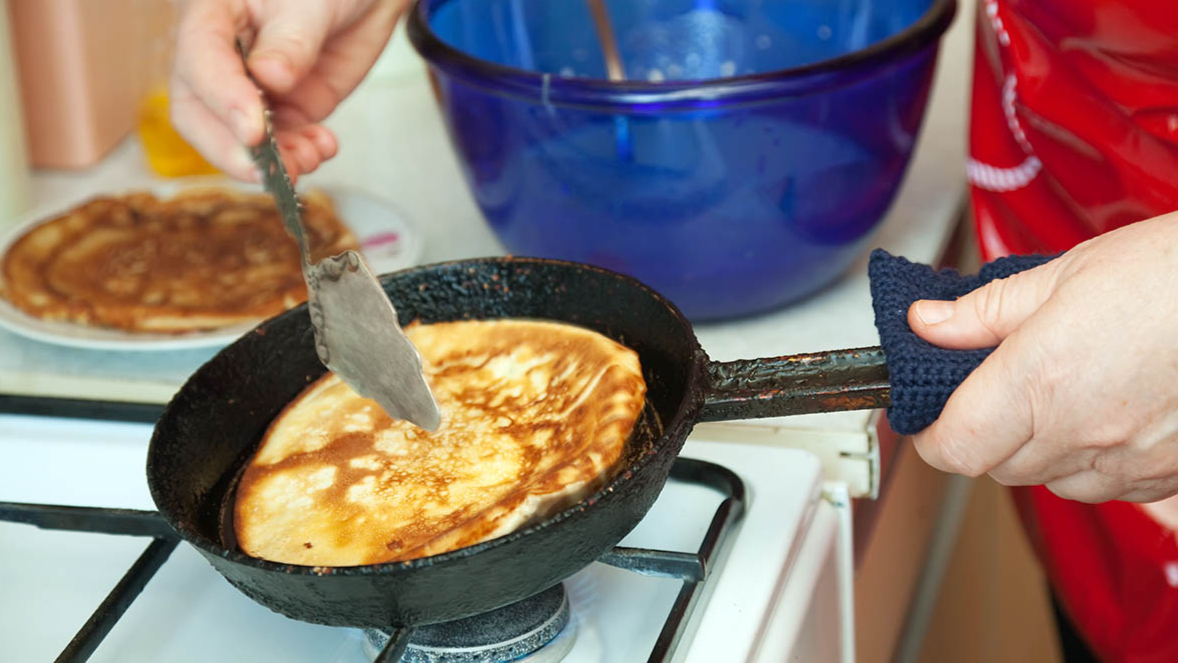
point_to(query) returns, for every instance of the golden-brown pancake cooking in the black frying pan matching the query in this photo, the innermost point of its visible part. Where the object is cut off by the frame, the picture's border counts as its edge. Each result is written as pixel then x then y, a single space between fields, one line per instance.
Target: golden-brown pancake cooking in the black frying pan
pixel 535 417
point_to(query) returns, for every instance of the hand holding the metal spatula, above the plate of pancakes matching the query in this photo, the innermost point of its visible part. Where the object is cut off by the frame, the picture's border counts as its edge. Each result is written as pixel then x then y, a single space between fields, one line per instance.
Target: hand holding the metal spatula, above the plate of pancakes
pixel 307 55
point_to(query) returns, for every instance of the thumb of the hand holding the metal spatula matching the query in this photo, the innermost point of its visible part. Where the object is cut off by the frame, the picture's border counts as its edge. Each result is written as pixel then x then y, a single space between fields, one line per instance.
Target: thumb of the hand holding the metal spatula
pixel 288 44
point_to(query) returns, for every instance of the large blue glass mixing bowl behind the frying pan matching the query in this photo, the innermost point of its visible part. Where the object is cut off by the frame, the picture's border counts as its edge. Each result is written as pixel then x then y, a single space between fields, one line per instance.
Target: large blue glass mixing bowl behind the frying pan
pixel 743 164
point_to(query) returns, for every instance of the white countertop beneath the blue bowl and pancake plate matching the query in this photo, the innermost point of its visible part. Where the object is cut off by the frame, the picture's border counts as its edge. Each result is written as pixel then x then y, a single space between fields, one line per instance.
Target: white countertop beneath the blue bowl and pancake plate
pixel 393 145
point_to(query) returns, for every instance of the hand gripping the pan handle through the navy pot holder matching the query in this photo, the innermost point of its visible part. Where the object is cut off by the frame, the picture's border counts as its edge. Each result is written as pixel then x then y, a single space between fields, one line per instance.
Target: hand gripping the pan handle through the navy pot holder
pixel 1082 394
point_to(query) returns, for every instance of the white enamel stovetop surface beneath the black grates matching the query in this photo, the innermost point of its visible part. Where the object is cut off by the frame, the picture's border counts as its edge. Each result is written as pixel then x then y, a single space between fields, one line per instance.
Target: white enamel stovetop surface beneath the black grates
pixel 55 580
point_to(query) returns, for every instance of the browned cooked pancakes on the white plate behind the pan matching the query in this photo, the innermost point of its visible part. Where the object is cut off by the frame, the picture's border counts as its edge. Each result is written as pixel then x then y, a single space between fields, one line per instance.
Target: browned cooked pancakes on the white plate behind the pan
pixel 204 260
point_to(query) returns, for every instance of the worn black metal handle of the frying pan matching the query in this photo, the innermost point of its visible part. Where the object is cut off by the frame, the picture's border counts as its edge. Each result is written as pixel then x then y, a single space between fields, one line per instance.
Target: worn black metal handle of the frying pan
pixel 798 384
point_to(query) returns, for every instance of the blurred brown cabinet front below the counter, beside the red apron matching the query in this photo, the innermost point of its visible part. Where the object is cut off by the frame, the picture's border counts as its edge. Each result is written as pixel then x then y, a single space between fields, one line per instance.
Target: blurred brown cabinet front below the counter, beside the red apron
pixel 992 605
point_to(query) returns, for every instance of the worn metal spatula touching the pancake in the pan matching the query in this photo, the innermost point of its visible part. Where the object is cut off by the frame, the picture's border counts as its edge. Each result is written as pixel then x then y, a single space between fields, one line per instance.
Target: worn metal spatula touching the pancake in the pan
pixel 356 330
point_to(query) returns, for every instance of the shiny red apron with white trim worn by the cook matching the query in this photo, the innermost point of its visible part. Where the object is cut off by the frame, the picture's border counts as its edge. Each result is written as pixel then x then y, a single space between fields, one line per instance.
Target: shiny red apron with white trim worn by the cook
pixel 1075 132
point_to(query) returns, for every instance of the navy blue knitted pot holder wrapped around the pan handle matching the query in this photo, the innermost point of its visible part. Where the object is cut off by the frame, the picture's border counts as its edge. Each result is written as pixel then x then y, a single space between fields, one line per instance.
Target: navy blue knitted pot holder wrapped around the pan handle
pixel 923 376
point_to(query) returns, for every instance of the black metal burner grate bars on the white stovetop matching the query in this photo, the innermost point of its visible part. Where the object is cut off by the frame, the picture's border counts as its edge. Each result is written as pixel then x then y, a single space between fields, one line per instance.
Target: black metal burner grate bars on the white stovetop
pixel 692 569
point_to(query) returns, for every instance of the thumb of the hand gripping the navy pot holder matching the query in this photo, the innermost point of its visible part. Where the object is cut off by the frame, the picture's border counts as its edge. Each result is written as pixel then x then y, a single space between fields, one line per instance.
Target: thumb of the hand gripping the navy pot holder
pixel 985 317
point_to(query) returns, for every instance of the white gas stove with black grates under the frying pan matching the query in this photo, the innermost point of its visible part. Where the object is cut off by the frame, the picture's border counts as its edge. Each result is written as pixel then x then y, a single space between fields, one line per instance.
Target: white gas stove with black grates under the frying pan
pixel 681 587
